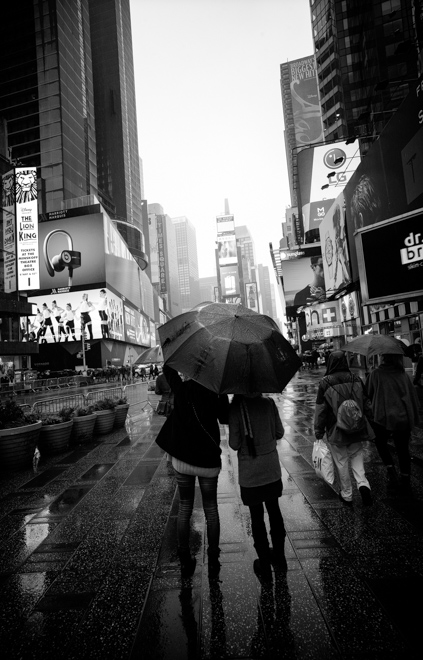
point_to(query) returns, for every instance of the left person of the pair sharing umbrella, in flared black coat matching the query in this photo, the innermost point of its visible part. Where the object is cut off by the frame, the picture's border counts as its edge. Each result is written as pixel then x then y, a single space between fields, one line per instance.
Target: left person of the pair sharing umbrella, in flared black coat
pixel 191 437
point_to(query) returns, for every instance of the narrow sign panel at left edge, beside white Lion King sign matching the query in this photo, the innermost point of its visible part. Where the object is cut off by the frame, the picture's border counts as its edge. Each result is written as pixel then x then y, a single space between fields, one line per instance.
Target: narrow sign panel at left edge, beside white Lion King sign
pixel 9 232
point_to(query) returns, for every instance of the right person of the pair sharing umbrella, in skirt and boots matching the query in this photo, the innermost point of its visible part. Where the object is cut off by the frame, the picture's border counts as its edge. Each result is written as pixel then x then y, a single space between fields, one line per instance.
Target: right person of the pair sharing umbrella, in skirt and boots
pixel 254 428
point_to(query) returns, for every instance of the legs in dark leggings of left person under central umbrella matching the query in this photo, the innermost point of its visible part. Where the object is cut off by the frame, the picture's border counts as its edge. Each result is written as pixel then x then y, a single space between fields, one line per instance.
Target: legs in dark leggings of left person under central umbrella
pixel 208 487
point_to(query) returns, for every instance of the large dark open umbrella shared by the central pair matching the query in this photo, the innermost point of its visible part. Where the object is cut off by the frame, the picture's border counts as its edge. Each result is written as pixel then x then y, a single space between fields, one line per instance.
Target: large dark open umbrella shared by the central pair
pixel 229 348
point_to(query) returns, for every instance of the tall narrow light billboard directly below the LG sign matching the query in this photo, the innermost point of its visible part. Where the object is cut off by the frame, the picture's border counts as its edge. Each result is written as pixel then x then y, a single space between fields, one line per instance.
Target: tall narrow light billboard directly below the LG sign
pixel 333 238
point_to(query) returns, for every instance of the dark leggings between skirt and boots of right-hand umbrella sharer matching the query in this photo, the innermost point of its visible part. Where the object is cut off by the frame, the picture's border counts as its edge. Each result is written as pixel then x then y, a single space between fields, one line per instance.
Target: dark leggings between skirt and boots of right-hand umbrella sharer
pixel 258 527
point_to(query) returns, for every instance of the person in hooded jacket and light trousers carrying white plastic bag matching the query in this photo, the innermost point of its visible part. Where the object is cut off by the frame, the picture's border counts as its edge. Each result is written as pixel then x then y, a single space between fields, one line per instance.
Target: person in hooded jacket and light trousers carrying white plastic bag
pixel 338 385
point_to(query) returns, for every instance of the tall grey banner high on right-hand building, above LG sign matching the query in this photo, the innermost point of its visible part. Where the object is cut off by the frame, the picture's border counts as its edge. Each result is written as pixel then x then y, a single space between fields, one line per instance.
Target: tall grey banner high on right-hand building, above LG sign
pixel 306 108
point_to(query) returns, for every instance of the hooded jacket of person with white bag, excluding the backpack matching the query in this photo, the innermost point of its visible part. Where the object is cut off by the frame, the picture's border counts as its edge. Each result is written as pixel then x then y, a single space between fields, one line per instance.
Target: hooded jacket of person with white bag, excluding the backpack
pixel 337 385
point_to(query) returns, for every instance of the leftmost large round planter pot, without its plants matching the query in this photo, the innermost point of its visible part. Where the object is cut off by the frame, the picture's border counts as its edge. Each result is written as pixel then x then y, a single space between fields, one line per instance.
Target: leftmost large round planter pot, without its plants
pixel 17 446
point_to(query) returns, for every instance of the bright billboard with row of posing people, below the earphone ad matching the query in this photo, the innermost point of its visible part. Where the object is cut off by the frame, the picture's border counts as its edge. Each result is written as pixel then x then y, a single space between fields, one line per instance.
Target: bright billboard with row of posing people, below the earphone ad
pixel 60 316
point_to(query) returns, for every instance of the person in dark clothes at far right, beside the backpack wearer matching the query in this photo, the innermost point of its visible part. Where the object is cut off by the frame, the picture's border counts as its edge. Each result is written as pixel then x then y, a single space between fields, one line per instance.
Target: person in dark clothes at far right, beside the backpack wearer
pixel 395 408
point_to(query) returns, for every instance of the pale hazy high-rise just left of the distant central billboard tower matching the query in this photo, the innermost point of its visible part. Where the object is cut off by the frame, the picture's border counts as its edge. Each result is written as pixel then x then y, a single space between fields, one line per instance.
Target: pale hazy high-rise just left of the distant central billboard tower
pixel 186 244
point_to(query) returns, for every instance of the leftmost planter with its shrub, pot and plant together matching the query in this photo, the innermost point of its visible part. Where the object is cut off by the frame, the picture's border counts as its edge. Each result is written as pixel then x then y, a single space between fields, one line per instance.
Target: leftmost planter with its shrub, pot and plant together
pixel 19 433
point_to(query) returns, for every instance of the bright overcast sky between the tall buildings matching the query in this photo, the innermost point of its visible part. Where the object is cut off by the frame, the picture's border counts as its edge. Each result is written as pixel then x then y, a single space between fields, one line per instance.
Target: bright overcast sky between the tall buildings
pixel 210 120
